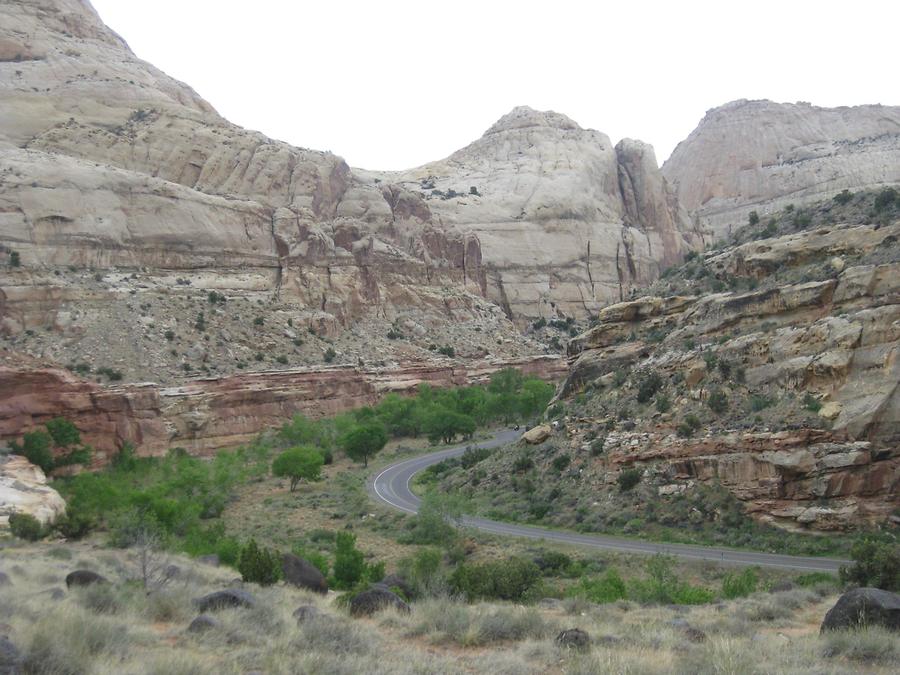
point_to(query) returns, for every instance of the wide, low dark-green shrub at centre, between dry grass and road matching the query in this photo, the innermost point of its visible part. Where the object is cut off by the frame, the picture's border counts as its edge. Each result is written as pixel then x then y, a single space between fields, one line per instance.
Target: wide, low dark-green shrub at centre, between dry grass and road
pixel 509 579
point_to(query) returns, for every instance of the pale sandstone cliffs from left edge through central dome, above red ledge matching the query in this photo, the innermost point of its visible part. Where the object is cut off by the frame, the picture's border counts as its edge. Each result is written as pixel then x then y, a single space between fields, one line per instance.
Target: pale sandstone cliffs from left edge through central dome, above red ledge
pixel 127 199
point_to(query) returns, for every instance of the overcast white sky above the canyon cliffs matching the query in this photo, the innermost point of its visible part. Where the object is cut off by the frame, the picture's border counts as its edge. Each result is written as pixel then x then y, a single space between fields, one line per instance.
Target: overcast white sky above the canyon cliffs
pixel 395 84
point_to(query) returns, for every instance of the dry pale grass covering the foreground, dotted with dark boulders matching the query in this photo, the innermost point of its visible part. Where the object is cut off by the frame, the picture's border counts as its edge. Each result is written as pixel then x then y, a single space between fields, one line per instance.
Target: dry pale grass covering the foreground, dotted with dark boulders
pixel 123 630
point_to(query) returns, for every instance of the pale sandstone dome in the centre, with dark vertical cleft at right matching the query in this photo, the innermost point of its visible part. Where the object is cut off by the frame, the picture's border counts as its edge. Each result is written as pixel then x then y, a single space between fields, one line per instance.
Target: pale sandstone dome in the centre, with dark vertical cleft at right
pixel 566 221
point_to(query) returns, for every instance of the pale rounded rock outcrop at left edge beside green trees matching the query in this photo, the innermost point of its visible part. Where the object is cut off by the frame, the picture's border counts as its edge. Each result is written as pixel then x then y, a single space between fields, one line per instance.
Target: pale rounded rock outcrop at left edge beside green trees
pixel 24 489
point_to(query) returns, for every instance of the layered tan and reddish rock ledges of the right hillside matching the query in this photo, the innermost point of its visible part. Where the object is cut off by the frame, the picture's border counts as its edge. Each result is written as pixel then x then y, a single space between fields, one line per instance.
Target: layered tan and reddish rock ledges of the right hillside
pixel 809 436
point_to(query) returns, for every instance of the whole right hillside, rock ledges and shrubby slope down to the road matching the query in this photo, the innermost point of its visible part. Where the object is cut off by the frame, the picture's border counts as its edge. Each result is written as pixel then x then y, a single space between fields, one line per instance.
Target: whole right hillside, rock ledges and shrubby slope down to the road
pixel 759 378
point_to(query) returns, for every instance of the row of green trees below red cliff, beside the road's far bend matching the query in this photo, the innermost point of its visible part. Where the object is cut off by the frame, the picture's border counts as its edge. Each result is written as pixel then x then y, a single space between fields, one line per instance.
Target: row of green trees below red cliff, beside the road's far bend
pixel 441 415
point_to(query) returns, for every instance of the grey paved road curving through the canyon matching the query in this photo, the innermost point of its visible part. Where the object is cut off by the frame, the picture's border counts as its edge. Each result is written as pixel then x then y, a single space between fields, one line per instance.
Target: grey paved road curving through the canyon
pixel 391 486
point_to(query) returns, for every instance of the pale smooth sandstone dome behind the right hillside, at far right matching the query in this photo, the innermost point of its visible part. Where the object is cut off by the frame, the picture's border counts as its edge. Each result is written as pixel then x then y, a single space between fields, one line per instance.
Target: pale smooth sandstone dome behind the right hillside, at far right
pixel 760 155
